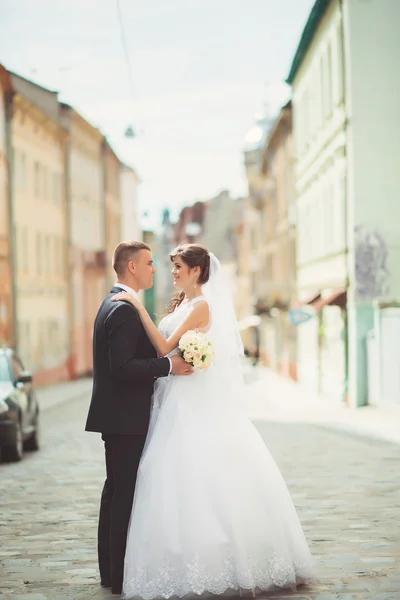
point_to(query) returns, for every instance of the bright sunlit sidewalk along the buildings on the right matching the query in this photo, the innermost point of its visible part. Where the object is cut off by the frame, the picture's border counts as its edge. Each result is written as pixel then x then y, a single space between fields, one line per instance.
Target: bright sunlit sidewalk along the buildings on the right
pixel 275 398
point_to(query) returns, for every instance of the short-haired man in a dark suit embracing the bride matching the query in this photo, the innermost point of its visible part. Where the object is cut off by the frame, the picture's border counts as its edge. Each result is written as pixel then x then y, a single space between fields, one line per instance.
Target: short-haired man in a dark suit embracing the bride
pixel 125 366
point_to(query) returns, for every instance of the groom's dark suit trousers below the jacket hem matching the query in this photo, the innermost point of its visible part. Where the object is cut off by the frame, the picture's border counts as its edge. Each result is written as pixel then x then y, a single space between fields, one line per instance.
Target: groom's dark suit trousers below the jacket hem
pixel 122 453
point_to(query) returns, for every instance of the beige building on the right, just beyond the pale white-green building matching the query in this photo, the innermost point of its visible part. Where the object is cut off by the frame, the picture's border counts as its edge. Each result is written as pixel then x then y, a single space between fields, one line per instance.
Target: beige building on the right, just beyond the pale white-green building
pixel 266 240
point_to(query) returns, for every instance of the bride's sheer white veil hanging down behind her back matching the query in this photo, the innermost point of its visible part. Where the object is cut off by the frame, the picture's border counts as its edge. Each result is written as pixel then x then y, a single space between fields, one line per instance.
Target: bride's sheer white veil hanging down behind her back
pixel 224 331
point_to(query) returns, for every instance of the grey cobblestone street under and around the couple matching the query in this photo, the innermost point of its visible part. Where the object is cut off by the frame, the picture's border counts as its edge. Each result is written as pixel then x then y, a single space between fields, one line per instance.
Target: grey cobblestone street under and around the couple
pixel 345 487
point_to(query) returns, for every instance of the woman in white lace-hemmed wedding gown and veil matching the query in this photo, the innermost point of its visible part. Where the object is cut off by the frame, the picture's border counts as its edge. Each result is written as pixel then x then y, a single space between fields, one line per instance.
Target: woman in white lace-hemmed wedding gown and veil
pixel 211 512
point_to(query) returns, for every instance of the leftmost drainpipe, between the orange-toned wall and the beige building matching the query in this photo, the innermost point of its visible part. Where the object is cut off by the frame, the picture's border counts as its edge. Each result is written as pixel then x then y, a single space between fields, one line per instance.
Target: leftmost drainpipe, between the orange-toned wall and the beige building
pixel 8 96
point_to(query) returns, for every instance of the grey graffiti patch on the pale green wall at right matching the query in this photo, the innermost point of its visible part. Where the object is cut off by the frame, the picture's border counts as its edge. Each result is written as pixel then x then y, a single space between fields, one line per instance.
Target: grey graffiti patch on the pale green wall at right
pixel 371 253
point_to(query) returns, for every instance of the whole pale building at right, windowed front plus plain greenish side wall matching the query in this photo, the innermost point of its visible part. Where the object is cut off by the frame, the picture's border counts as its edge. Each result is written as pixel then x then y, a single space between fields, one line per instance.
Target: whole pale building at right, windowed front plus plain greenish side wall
pixel 346 184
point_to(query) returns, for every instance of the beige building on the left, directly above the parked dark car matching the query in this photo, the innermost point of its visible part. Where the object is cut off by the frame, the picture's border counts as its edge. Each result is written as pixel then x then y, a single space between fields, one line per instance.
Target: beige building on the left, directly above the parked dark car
pixel 40 228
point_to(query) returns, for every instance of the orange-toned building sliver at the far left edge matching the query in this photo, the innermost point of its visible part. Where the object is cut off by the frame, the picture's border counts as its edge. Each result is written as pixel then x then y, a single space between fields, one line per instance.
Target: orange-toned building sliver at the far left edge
pixel 6 295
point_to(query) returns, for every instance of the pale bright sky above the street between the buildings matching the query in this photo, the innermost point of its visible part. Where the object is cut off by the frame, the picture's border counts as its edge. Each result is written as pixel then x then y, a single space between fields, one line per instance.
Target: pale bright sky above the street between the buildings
pixel 197 73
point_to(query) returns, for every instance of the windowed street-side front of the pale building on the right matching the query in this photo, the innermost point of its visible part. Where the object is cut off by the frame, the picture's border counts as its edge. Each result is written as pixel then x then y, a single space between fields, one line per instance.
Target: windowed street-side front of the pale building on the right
pixel 320 183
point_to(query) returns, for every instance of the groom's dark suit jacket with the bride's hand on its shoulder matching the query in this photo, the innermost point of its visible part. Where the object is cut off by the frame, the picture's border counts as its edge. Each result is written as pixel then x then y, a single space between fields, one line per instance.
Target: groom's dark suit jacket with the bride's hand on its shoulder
pixel 125 365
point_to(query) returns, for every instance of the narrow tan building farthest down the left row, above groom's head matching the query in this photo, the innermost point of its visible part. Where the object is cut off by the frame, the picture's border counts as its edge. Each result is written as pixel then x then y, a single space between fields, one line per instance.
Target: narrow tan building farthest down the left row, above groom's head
pixel 112 207
